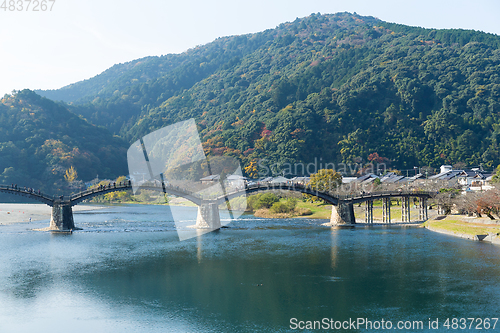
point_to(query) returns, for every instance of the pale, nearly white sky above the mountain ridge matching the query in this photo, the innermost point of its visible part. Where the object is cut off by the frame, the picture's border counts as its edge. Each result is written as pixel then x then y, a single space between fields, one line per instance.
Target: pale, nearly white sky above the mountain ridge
pixel 79 39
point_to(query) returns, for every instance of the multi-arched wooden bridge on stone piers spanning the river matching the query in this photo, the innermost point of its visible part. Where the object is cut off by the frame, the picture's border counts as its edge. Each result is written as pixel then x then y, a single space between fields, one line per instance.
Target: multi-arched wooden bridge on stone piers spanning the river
pixel 208 212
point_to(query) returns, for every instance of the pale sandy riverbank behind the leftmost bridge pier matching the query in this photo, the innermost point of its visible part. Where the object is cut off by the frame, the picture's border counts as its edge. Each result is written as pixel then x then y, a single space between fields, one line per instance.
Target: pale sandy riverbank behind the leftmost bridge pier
pixel 14 213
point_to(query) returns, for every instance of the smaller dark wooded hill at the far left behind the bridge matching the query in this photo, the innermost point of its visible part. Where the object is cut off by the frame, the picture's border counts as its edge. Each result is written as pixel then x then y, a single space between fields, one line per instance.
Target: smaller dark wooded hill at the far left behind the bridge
pixel 40 140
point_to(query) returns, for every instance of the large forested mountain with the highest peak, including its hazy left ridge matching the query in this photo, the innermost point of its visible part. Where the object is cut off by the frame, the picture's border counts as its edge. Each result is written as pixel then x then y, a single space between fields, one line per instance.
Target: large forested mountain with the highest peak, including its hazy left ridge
pixel 337 87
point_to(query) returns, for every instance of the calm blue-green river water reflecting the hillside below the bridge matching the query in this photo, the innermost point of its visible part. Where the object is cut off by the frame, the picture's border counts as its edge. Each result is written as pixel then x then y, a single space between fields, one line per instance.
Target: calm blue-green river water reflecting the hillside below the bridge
pixel 127 272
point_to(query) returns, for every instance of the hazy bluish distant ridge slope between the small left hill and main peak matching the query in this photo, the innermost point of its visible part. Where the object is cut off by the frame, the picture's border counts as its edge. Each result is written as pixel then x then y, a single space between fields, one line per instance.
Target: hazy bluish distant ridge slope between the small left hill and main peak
pixel 116 97
